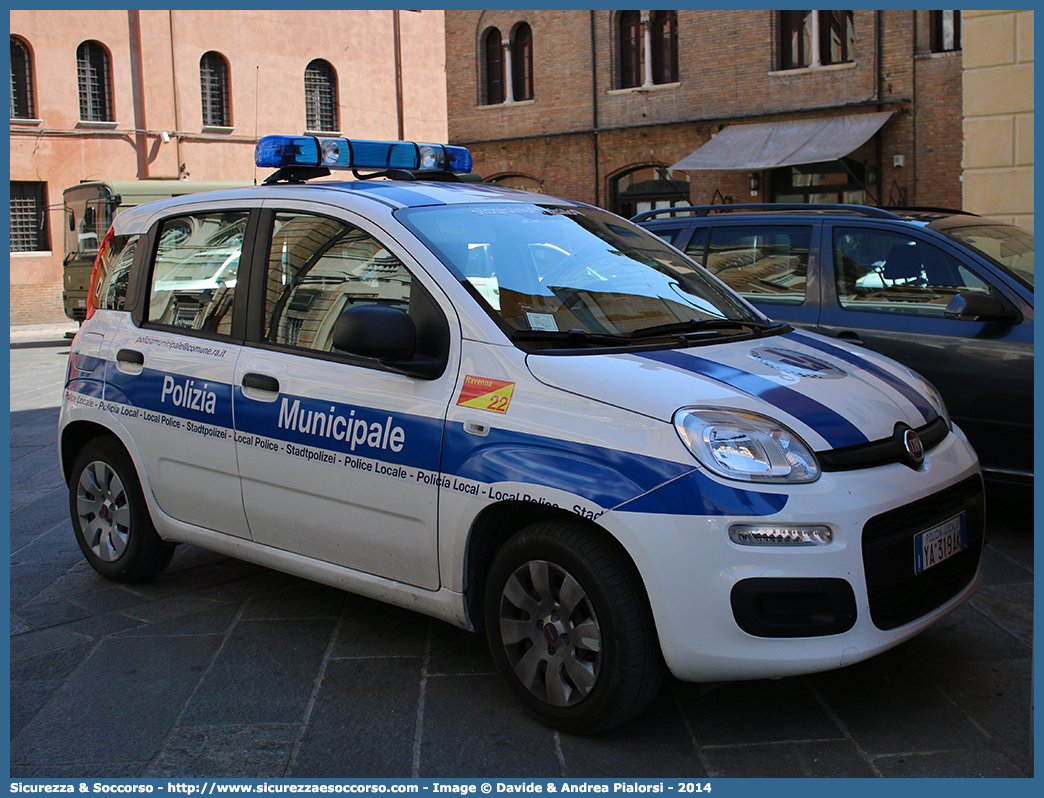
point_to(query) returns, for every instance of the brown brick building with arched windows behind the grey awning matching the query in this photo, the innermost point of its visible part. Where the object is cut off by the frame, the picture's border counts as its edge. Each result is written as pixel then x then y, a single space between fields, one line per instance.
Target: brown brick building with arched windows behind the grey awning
pixel 616 97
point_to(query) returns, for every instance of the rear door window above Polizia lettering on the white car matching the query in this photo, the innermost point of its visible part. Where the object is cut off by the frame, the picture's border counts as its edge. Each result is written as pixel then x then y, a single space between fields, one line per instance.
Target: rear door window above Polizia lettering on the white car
pixel 194 279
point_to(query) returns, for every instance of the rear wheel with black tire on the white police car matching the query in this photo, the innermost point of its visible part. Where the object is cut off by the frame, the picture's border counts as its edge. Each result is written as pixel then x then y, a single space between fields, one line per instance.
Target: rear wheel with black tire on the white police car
pixel 110 518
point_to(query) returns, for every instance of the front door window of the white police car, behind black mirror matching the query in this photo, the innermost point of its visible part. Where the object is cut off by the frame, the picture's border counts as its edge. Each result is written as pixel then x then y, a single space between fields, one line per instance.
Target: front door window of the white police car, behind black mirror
pixel 318 269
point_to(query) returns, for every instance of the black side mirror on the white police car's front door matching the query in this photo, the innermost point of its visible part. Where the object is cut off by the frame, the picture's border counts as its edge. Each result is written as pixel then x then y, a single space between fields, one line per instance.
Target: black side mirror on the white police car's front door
pixel 387 335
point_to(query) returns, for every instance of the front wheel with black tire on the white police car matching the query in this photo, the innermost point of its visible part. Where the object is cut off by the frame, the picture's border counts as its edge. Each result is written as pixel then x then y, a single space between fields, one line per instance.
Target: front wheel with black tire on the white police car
pixel 571 629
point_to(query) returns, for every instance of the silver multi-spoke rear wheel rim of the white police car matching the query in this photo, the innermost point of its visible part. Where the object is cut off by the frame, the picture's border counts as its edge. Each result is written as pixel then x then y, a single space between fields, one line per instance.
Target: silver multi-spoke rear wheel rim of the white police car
pixel 104 509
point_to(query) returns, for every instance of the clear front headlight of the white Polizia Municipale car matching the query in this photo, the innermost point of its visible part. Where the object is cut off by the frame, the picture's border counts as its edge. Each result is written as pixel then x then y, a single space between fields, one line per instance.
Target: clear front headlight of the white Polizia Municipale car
pixel 747 447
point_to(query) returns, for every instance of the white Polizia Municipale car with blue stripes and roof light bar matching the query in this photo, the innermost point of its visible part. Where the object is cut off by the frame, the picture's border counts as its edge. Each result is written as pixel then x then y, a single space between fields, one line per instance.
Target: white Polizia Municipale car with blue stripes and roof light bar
pixel 514 413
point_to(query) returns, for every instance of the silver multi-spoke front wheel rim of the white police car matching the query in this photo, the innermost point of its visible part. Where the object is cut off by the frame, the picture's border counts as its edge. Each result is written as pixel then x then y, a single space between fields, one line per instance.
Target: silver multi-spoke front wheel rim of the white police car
pixel 551 633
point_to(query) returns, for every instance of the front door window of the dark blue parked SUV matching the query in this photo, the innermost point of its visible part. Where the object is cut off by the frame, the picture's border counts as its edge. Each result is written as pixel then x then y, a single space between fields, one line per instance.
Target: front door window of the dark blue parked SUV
pixel 889 272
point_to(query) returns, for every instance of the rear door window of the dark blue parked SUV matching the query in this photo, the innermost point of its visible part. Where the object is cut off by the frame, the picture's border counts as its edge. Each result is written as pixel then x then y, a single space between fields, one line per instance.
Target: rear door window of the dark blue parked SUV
pixel 763 264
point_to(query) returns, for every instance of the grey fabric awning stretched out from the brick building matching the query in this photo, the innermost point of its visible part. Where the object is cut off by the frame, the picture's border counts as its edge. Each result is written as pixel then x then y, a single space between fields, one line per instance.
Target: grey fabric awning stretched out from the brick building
pixel 798 142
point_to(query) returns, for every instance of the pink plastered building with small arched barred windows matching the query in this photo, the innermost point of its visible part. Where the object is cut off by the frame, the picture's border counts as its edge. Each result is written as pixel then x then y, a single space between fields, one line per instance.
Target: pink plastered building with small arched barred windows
pixel 121 96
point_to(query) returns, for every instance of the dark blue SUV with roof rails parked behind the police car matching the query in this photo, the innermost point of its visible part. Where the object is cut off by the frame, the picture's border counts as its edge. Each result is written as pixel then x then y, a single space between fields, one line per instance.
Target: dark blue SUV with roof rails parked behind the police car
pixel 948 294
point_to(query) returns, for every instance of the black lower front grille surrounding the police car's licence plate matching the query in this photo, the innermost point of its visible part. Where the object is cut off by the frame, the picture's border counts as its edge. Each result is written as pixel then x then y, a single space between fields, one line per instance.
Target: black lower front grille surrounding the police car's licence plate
pixel 897 595
